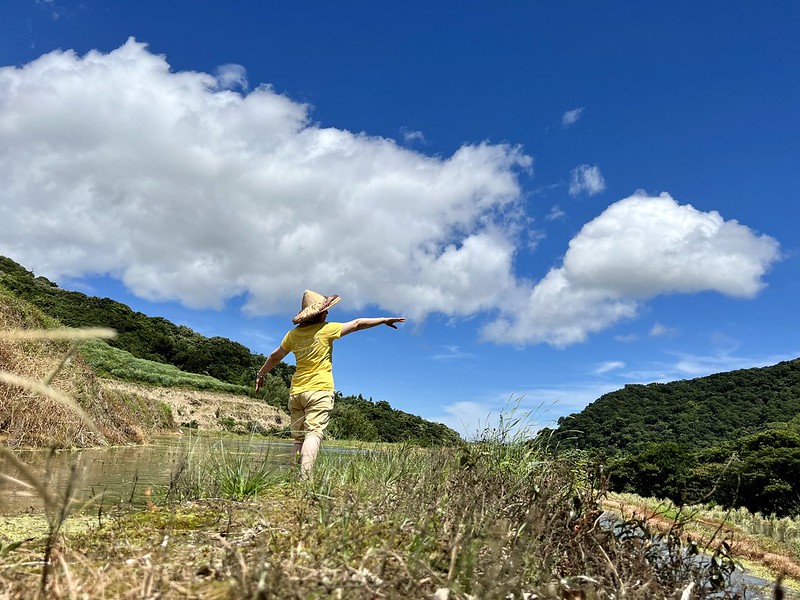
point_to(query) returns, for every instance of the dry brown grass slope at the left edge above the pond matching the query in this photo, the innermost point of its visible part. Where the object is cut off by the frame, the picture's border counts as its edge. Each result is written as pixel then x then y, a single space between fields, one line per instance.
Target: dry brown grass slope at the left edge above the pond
pixel 49 397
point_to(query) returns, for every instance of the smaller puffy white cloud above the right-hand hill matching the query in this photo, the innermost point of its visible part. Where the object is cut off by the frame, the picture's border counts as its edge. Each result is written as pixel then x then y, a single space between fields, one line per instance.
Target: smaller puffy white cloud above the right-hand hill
pixel 638 248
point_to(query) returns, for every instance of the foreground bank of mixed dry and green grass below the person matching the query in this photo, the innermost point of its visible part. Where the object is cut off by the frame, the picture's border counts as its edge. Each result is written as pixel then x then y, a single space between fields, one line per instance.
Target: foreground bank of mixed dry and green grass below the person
pixel 397 523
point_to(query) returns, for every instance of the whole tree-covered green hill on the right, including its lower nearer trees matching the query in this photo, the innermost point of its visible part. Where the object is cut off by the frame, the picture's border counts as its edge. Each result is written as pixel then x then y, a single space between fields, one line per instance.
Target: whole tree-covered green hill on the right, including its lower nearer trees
pixel 731 439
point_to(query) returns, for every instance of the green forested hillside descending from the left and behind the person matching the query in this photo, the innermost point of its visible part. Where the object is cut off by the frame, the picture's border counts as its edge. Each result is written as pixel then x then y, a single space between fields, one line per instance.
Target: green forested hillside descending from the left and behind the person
pixel 142 338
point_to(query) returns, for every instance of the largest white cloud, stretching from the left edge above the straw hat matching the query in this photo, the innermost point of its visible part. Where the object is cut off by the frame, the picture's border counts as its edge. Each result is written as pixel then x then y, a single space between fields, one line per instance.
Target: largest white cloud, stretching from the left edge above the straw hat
pixel 112 163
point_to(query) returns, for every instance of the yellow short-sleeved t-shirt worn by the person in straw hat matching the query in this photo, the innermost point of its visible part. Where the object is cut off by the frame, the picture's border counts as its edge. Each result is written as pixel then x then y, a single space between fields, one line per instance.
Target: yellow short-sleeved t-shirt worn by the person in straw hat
pixel 312 346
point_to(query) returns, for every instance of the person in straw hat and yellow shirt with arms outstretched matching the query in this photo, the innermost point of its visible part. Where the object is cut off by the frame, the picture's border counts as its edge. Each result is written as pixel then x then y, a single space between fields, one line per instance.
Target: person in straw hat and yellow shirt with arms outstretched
pixel 311 394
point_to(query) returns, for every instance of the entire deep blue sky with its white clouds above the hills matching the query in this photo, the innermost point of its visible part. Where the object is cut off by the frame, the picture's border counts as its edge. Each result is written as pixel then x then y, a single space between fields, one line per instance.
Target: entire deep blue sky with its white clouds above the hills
pixel 562 197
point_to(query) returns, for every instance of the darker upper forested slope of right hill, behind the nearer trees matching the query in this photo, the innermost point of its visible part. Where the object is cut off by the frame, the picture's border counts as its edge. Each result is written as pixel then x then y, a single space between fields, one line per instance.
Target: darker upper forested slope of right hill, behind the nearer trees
pixel 697 412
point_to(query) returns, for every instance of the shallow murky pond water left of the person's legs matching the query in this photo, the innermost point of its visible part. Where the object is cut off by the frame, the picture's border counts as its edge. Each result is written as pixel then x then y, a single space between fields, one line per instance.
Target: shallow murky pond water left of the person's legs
pixel 122 474
